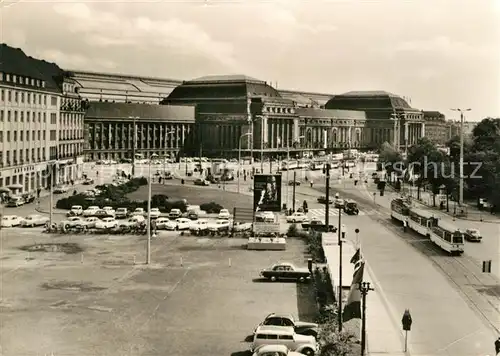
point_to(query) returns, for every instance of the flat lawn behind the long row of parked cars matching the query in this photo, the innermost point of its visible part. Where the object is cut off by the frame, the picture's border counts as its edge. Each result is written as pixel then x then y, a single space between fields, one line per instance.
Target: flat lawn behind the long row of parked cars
pixel 195 195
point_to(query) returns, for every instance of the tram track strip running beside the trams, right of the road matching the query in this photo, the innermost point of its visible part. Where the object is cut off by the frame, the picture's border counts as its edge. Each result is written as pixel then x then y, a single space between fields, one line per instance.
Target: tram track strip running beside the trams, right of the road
pixel 480 290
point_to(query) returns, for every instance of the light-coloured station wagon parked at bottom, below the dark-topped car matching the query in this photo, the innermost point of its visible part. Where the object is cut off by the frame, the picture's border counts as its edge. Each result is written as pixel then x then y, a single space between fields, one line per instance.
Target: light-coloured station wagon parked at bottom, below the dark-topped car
pixel 286 336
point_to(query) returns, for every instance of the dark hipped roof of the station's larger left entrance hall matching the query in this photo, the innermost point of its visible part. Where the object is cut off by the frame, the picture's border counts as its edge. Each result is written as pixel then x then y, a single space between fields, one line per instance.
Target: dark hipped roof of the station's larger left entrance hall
pixel 219 88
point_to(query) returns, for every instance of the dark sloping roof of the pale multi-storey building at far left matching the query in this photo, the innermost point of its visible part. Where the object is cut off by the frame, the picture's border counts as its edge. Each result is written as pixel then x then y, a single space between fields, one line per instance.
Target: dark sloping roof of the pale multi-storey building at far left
pixel 15 61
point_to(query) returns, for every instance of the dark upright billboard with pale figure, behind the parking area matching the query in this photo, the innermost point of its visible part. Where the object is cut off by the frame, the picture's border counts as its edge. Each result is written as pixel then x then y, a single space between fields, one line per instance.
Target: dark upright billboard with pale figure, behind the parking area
pixel 267 192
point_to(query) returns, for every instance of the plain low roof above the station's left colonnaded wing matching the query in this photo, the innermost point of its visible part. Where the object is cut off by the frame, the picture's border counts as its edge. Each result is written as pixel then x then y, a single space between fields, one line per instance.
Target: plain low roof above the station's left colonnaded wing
pixel 106 110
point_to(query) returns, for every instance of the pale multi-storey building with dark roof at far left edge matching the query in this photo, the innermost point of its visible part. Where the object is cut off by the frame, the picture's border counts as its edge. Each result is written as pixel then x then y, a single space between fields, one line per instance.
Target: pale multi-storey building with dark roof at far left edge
pixel 31 93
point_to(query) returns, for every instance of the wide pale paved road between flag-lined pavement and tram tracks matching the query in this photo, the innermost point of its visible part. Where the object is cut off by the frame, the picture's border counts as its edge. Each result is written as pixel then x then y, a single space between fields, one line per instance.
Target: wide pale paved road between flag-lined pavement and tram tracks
pixel 444 323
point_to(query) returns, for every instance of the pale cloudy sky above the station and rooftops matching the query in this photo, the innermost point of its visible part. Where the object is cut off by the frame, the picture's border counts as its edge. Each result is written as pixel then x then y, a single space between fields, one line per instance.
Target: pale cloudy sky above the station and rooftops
pixel 441 54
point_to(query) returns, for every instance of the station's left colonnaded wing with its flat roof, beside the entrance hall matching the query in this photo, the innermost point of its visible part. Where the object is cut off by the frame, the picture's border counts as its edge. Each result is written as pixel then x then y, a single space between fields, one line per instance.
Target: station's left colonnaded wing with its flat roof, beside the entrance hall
pixel 123 130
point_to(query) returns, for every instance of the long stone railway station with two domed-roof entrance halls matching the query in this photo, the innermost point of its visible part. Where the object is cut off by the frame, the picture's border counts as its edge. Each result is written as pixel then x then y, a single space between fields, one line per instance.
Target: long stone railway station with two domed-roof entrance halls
pixel 232 113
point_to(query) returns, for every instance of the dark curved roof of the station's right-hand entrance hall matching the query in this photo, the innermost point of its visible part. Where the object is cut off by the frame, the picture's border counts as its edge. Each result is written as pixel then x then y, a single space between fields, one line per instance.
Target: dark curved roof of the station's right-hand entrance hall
pixel 368 100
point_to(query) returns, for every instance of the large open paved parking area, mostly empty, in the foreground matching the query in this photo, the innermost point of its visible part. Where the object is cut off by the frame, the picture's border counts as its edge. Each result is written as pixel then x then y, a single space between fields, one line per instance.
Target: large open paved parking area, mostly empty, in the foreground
pixel 199 296
